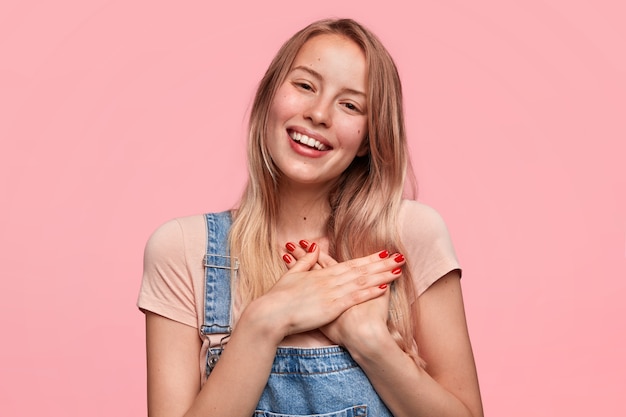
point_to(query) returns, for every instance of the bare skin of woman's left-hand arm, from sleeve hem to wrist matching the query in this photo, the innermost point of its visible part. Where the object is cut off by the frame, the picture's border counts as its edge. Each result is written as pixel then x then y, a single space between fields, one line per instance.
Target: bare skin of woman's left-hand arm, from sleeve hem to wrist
pixel 235 385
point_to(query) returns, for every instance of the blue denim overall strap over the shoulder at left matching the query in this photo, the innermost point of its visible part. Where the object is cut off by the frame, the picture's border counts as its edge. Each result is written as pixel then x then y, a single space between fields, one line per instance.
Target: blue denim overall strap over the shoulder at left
pixel 218 266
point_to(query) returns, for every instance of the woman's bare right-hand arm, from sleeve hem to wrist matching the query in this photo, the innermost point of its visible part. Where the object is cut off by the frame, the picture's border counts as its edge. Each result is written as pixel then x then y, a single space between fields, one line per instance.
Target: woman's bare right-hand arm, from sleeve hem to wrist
pixel 449 386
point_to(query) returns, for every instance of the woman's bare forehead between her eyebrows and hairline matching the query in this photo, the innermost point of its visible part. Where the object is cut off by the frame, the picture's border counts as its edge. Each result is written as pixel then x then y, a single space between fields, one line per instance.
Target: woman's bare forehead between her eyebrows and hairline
pixel 334 55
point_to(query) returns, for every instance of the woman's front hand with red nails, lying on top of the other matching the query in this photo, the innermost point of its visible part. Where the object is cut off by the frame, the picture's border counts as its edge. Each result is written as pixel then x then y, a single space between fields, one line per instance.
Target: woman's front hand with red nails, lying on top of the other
pixel 307 297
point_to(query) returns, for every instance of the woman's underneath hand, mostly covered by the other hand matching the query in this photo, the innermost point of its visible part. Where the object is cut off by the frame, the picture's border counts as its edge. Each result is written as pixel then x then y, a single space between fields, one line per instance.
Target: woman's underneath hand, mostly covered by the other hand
pixel 359 325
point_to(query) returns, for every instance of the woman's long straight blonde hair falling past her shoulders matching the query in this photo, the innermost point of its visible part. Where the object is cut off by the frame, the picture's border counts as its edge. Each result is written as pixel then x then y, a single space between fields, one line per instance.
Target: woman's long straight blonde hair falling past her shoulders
pixel 366 198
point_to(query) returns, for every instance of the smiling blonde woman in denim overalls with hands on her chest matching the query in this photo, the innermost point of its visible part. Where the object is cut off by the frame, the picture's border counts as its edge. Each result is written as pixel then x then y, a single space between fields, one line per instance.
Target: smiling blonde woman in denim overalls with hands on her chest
pixel 336 280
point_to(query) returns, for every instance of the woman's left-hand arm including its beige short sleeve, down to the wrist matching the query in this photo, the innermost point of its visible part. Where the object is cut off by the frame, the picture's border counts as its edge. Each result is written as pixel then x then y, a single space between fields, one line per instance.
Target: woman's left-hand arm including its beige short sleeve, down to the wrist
pixel 173 346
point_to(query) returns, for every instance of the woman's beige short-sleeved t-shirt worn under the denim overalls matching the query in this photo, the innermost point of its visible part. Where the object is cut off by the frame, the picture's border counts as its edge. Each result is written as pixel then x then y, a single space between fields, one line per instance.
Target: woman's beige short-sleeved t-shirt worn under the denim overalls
pixel 173 275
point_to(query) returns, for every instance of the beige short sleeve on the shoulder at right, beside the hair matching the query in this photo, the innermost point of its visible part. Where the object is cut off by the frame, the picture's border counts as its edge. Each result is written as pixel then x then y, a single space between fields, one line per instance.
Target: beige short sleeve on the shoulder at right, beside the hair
pixel 430 253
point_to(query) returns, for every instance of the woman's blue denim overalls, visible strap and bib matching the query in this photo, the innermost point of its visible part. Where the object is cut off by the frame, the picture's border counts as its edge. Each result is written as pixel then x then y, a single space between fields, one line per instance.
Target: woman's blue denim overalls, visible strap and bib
pixel 322 381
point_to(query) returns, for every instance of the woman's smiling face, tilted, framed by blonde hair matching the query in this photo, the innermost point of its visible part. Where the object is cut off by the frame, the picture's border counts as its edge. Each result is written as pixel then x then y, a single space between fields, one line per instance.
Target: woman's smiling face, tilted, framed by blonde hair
pixel 318 119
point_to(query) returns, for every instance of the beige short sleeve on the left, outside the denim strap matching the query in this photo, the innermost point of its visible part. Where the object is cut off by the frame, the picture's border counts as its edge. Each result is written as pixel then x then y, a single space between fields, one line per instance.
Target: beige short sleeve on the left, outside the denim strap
pixel 166 285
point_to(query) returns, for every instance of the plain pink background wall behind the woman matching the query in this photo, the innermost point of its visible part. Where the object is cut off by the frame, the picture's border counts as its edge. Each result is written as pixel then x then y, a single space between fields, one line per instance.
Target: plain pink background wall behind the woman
pixel 116 116
